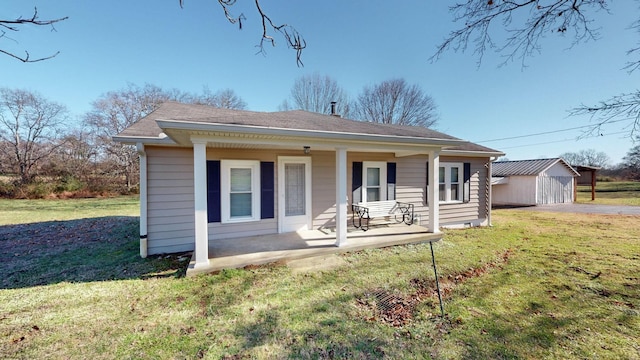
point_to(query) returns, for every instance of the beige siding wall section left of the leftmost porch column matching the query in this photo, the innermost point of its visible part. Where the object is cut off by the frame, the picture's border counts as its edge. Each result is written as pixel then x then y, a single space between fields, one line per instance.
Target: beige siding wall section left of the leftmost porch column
pixel 170 221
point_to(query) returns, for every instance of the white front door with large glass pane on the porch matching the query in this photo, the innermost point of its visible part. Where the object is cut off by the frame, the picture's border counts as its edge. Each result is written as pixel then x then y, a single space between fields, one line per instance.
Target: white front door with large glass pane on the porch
pixel 294 193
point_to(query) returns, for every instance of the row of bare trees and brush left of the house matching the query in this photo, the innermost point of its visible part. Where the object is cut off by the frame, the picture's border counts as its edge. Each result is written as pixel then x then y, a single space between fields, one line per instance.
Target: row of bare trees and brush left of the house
pixel 43 153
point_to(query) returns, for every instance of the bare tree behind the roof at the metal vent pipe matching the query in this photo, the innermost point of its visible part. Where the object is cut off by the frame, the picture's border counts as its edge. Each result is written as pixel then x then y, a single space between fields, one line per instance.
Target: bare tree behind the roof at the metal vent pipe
pixel 315 93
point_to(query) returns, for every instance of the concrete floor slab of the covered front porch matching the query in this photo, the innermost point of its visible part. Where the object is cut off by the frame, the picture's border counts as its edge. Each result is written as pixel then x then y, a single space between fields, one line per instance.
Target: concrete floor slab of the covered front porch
pixel 263 249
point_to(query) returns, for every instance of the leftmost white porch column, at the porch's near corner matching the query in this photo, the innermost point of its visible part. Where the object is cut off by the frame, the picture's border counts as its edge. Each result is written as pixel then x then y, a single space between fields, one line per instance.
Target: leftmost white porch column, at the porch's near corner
pixel 200 203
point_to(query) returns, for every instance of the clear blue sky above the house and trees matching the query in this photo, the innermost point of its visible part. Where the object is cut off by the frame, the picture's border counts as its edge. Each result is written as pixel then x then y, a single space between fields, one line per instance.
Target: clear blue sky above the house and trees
pixel 104 45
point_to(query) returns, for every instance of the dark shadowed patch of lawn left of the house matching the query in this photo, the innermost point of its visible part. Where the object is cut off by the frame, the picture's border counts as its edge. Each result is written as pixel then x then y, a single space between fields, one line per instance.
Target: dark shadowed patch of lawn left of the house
pixel 85 250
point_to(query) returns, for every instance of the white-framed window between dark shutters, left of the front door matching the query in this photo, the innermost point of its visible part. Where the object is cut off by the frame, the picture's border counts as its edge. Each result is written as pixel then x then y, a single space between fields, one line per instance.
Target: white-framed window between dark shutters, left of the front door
pixel 240 190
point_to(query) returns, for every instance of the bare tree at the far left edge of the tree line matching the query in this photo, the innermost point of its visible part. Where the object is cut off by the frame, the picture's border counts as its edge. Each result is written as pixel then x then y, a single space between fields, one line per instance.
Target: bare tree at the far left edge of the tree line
pixel 29 129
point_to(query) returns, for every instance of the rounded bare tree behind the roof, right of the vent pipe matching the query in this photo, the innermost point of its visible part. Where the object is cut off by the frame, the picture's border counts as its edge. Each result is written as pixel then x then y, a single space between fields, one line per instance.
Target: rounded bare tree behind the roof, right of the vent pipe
pixel 396 102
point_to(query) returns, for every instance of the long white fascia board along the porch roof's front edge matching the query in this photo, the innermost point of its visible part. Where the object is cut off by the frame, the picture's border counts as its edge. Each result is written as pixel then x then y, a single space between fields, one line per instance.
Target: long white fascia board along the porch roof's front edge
pixel 326 135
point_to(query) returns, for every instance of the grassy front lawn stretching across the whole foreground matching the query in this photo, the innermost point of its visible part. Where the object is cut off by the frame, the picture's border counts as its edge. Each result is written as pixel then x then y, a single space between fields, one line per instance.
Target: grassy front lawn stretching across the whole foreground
pixel 533 286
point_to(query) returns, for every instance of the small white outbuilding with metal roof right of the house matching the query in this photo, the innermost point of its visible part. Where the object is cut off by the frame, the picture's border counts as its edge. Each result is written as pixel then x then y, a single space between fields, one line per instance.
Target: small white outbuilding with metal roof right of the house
pixel 533 182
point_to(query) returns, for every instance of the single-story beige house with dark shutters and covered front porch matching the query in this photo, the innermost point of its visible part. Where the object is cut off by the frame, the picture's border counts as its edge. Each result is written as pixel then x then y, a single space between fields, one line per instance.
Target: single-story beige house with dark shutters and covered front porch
pixel 208 174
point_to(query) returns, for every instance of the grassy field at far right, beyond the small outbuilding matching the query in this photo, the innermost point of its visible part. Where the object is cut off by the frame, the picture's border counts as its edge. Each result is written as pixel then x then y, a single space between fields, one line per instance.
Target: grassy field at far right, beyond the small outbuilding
pixel 611 193
